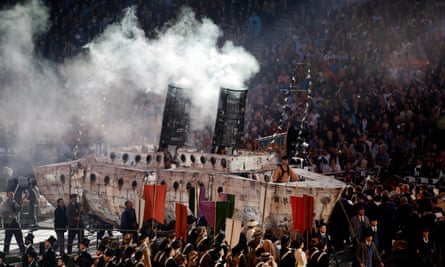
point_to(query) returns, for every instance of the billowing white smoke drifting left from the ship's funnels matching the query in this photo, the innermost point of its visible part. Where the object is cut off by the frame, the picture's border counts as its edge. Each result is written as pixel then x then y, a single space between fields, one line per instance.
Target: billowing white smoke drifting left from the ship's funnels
pixel 101 85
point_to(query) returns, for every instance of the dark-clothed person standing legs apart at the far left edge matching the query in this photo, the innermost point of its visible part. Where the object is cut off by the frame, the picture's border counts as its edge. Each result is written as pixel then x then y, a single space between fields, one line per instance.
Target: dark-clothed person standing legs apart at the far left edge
pixel 9 212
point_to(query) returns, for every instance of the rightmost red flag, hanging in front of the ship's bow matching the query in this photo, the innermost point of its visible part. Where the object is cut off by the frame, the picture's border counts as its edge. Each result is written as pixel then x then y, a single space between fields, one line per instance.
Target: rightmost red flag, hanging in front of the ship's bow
pixel 302 212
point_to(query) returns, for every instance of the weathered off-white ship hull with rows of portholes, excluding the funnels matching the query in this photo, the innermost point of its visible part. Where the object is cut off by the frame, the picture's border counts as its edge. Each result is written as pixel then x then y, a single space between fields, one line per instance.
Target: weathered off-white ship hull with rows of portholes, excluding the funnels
pixel 104 185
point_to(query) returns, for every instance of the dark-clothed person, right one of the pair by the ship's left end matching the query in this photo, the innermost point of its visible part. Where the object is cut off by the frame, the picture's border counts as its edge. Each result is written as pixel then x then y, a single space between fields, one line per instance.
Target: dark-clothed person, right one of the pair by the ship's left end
pixel 73 215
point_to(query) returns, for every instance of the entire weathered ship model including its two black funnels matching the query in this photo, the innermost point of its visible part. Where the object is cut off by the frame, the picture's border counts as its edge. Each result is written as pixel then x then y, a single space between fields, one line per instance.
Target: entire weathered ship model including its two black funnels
pixel 105 182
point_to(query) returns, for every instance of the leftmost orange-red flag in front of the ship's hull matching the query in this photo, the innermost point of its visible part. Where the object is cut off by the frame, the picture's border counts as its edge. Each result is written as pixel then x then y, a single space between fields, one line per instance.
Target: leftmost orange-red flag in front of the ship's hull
pixel 154 196
